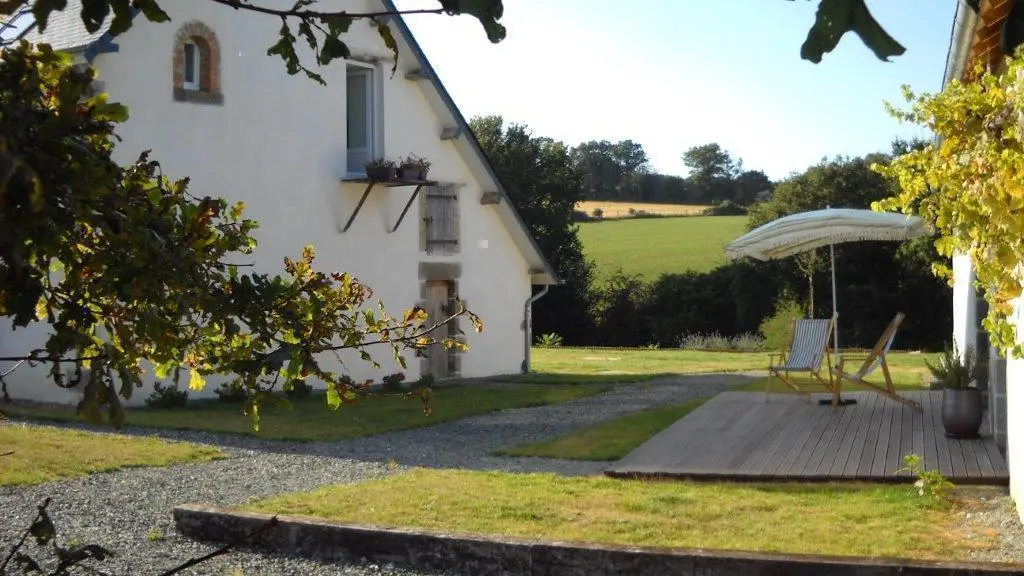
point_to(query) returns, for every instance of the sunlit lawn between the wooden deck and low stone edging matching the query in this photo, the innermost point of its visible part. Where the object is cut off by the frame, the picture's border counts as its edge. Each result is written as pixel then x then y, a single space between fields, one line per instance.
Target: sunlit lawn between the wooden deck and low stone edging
pixel 871 521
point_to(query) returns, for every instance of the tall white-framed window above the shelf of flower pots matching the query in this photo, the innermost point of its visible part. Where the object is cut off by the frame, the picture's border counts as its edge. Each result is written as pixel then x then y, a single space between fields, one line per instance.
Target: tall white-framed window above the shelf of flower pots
pixel 361 117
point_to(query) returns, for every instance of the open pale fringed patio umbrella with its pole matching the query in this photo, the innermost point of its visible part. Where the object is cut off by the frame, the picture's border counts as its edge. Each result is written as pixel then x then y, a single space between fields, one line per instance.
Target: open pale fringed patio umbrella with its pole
pixel 806 231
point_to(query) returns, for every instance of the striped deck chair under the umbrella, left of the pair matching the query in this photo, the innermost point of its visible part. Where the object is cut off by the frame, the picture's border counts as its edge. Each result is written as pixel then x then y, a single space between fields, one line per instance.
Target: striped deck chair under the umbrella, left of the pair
pixel 808 346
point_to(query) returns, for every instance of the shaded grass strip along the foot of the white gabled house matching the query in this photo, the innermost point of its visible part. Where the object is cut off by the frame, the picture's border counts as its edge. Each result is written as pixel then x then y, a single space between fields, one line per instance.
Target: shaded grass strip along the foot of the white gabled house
pixel 311 420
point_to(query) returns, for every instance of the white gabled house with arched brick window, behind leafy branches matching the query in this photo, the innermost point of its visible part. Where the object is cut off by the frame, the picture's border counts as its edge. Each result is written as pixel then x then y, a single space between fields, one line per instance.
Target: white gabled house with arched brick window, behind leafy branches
pixel 211 105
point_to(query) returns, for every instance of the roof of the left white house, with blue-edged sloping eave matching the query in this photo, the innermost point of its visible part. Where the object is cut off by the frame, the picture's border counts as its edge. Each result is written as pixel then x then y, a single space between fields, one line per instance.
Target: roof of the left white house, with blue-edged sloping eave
pixel 65 31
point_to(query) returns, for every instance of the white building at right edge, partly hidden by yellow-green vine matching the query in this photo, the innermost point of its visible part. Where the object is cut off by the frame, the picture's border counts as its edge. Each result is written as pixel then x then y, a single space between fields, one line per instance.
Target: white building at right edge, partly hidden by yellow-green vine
pixel 978 38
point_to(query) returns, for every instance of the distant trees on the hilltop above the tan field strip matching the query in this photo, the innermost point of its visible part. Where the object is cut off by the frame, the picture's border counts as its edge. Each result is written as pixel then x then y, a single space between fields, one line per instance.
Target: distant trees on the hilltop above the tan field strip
pixel 620 172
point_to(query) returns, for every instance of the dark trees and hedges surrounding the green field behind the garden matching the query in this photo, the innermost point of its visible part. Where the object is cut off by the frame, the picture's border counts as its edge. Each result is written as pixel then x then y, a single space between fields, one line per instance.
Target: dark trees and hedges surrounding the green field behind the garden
pixel 545 180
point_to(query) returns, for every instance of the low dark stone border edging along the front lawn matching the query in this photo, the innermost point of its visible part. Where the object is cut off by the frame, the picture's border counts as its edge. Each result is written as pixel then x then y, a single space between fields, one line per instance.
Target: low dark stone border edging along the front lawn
pixel 492 556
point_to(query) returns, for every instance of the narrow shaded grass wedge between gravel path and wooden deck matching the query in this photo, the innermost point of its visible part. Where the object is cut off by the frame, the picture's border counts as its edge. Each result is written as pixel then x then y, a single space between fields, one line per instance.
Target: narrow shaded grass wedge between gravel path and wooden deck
pixel 611 440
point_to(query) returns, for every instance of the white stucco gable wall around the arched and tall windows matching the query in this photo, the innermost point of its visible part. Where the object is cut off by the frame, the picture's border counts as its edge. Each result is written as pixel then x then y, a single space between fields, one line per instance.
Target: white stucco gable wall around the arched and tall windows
pixel 279 145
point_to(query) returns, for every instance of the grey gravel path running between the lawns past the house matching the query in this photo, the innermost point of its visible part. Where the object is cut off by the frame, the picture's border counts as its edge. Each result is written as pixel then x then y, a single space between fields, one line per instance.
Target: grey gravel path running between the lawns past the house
pixel 130 511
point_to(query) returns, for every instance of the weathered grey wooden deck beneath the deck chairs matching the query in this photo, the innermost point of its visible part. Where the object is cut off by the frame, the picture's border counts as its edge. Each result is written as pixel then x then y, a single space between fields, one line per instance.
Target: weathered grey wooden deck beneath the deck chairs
pixel 739 436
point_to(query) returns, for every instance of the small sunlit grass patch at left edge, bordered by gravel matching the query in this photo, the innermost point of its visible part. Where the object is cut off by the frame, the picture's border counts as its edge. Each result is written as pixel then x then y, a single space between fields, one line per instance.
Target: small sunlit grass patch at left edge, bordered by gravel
pixel 45 455
